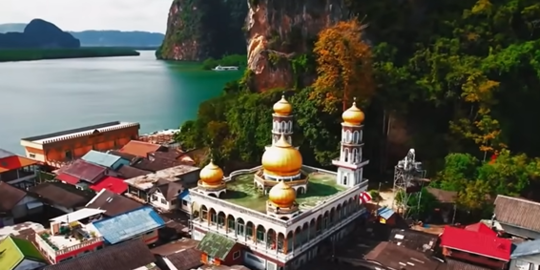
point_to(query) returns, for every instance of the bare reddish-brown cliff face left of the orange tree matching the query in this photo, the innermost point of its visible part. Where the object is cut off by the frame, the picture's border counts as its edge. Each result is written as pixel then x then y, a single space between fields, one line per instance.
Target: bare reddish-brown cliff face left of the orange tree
pixel 281 29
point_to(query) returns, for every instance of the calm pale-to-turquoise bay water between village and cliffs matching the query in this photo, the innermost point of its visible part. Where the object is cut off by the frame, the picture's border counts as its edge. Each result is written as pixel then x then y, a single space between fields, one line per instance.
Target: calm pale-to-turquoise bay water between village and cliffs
pixel 52 95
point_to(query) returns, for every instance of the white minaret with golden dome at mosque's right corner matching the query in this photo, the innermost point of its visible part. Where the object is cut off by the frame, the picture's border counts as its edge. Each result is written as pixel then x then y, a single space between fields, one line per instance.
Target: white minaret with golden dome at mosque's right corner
pixel 350 163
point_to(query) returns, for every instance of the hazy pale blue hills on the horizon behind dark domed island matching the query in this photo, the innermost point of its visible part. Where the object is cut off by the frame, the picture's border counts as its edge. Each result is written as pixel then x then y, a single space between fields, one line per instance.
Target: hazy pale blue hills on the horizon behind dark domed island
pixel 103 38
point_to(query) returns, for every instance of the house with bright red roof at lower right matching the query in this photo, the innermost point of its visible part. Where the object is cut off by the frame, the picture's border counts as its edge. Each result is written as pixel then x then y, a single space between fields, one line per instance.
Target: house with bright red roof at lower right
pixel 477 244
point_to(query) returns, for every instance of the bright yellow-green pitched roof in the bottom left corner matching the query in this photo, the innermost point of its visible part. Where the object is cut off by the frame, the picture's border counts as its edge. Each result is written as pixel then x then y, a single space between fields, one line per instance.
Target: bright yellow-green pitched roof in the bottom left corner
pixel 14 251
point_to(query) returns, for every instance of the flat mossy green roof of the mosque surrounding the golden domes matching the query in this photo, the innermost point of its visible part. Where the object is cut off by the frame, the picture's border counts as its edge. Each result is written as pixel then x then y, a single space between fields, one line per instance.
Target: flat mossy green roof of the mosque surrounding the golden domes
pixel 242 191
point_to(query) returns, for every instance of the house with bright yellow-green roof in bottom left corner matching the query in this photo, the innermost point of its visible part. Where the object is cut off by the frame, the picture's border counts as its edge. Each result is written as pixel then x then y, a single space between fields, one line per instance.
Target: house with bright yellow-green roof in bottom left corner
pixel 19 254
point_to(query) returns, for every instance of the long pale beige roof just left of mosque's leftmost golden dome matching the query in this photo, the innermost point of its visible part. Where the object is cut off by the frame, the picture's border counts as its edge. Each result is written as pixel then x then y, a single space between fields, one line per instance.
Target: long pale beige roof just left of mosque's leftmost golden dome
pixel 145 182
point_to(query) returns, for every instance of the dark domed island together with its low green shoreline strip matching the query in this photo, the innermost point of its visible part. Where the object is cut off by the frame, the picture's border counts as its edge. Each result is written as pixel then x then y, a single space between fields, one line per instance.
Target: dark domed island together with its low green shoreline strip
pixel 44 40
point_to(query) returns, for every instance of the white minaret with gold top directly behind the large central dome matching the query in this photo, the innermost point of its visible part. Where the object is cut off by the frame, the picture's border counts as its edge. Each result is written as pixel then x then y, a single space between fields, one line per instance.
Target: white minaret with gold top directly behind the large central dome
pixel 282 121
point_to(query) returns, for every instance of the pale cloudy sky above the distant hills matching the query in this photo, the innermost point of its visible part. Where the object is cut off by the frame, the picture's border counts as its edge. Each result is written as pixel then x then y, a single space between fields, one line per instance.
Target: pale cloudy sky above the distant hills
pixel 77 15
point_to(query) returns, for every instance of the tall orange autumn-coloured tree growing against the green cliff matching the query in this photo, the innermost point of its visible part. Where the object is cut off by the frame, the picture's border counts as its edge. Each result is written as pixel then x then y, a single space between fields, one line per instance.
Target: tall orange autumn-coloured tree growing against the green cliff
pixel 344 65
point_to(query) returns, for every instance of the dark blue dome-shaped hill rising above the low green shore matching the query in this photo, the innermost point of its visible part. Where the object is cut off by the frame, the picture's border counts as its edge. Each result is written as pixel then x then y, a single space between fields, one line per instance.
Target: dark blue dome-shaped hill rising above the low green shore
pixel 39 34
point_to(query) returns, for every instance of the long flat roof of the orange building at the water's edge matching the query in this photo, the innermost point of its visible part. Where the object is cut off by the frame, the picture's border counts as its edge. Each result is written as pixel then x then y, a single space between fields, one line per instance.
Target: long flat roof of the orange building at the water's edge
pixel 78 132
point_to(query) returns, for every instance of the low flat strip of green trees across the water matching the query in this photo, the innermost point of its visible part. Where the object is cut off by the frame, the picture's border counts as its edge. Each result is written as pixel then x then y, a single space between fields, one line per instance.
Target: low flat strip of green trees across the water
pixel 41 54
